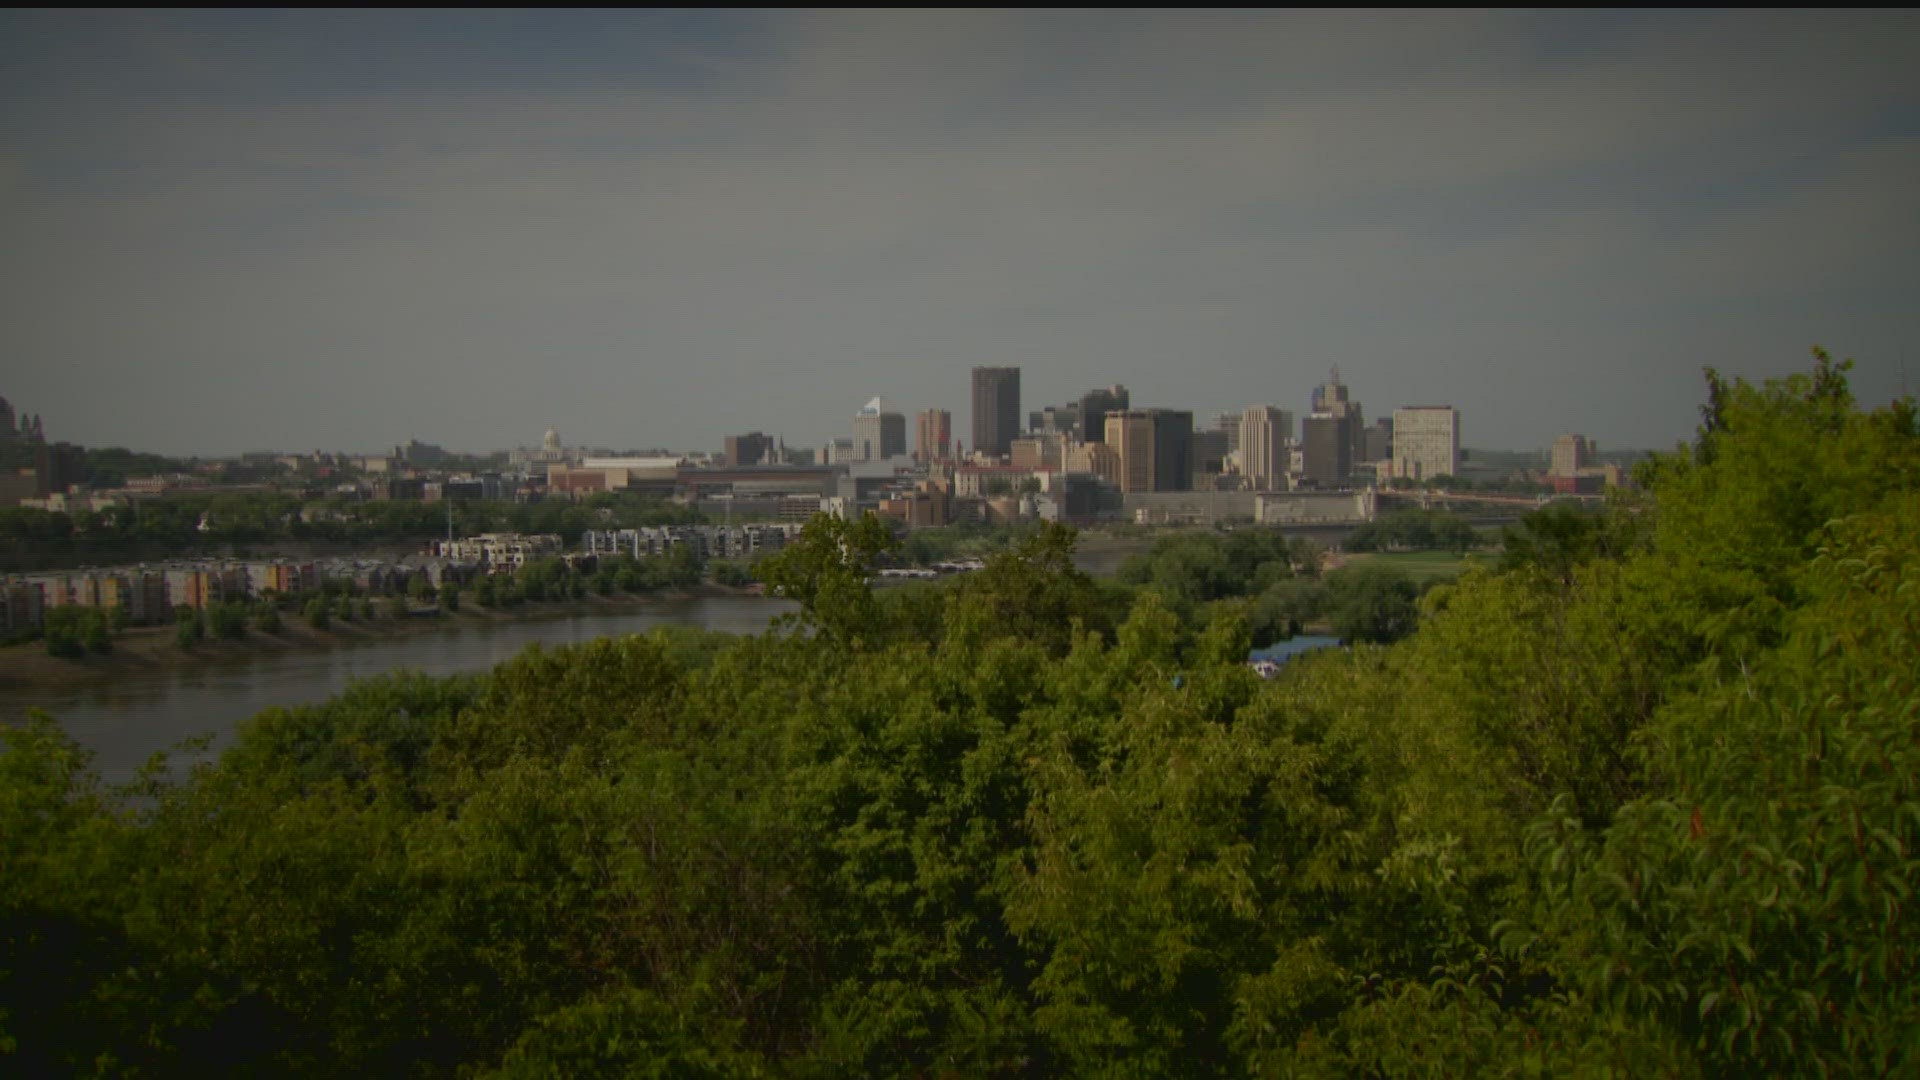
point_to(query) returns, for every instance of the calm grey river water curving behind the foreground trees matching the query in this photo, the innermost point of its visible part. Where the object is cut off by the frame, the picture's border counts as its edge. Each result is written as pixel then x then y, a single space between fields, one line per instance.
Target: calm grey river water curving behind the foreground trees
pixel 130 720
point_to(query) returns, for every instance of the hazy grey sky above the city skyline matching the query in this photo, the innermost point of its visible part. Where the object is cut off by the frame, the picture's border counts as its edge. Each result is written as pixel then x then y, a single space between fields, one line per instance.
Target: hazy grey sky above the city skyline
pixel 293 232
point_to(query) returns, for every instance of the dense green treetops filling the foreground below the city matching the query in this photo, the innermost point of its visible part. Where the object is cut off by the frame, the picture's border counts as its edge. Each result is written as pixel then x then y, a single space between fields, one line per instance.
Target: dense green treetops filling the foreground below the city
pixel 1637 800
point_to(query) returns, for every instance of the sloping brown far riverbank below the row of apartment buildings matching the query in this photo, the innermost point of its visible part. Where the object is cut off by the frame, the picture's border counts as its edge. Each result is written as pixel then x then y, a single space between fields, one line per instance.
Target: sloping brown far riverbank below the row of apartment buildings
pixel 156 649
